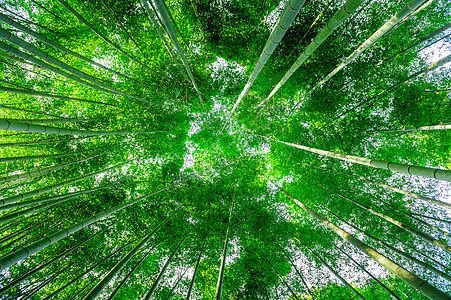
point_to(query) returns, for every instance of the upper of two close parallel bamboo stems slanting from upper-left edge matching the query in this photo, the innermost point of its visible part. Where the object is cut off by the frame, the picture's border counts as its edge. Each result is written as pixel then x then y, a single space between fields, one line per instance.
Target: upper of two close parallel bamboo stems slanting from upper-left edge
pixel 49 42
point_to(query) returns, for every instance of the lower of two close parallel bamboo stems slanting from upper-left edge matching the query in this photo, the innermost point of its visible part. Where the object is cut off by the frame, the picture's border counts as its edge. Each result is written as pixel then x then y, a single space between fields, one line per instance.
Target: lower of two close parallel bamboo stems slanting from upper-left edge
pixel 6 35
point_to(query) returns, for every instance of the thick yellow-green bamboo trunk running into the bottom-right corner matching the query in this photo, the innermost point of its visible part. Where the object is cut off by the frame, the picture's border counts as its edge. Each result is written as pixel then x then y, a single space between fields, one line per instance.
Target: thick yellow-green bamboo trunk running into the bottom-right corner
pixel 422 286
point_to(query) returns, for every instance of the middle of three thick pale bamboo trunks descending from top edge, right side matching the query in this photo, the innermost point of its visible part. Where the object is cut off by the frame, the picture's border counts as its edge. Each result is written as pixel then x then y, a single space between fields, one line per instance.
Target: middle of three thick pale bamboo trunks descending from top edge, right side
pixel 337 19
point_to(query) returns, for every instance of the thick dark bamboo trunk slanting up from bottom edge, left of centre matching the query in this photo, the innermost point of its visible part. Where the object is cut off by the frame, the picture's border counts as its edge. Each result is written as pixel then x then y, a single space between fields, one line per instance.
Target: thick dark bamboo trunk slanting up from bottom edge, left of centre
pixel 96 290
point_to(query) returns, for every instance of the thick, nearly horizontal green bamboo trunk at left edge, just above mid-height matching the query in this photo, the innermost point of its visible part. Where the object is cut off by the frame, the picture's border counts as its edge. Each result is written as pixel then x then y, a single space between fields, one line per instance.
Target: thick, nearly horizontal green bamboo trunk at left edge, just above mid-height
pixel 17 126
